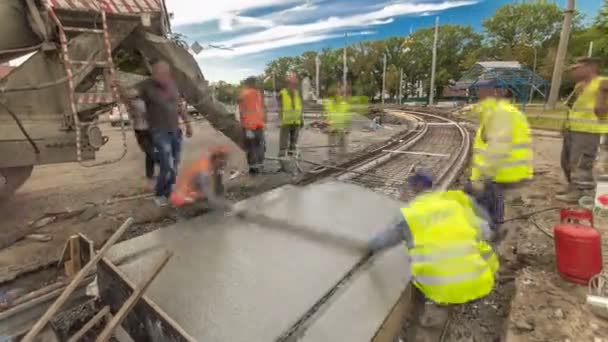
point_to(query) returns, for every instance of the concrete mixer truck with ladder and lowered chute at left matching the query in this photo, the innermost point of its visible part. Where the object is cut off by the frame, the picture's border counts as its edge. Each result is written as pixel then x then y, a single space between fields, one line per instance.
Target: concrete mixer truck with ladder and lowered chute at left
pixel 51 105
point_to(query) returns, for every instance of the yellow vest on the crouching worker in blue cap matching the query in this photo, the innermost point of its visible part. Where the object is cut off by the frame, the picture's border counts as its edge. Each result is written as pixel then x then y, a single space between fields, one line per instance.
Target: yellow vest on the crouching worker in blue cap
pixel 450 263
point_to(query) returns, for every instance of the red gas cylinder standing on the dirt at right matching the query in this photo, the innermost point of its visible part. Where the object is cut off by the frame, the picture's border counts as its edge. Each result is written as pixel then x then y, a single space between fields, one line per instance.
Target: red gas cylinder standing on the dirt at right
pixel 578 247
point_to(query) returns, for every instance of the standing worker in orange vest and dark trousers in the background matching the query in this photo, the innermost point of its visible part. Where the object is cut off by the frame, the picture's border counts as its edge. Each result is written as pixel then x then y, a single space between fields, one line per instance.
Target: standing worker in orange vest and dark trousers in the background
pixel 253 121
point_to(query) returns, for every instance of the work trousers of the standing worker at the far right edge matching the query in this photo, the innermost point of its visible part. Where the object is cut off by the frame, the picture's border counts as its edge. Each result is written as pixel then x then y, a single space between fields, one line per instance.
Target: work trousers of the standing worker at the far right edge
pixel 579 151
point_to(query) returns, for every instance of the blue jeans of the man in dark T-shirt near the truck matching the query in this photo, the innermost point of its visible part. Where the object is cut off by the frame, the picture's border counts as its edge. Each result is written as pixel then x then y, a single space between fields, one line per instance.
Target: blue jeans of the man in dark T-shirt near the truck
pixel 168 145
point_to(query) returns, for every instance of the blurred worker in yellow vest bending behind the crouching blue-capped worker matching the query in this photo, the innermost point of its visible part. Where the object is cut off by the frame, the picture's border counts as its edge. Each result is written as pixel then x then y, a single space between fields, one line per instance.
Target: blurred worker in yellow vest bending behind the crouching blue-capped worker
pixel 502 156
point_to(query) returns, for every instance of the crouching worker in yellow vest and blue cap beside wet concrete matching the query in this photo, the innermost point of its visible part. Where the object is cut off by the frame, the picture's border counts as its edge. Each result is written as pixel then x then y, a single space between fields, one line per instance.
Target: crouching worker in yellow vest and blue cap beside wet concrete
pixel 445 235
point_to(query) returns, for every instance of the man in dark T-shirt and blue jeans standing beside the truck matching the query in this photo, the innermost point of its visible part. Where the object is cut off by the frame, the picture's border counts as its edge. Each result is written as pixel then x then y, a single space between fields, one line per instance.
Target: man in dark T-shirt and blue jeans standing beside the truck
pixel 162 99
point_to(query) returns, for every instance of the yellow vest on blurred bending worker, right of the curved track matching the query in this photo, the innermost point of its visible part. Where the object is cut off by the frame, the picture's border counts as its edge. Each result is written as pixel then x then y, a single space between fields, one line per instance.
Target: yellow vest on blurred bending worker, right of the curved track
pixel 516 165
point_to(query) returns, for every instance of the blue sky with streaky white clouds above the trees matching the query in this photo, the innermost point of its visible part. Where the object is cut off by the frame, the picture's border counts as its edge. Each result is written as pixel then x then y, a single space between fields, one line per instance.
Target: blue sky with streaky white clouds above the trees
pixel 259 31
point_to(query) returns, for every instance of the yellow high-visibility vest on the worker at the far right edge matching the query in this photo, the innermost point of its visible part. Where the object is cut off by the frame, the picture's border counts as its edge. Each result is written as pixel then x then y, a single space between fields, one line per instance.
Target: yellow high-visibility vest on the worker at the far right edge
pixel 582 117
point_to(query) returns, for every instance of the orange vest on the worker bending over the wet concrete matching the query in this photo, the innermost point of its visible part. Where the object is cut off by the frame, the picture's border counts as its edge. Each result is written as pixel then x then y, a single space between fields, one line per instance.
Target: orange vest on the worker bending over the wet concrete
pixel 185 192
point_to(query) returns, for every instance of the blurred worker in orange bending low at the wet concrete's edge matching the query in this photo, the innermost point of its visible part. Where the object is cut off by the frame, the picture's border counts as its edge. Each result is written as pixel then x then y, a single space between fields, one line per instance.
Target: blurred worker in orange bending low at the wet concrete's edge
pixel 201 180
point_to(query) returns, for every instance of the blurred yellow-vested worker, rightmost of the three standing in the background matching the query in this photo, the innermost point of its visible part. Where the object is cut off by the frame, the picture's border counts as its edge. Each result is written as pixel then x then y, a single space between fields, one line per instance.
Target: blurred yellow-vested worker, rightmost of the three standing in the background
pixel 339 117
